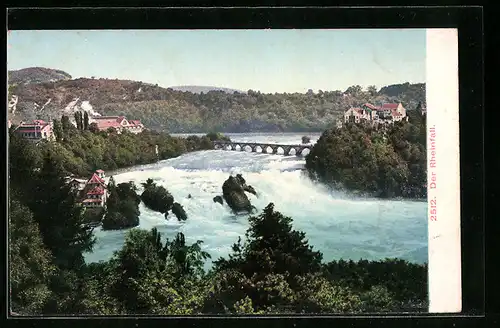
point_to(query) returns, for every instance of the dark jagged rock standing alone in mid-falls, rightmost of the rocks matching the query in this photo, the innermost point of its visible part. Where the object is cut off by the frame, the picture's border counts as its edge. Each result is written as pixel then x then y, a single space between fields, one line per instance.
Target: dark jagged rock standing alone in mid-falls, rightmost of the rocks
pixel 233 191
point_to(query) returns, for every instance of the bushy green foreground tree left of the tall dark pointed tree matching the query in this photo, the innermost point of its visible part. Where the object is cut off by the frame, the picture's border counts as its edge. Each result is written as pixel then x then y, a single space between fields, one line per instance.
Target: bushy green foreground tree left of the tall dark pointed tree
pixel 153 277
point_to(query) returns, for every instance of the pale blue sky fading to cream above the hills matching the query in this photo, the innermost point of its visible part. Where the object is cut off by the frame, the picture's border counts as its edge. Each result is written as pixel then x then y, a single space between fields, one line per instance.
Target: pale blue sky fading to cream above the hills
pixel 288 60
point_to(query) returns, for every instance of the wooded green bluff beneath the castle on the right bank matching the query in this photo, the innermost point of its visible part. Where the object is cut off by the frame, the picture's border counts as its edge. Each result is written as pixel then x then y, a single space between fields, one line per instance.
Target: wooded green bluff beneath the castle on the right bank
pixel 383 162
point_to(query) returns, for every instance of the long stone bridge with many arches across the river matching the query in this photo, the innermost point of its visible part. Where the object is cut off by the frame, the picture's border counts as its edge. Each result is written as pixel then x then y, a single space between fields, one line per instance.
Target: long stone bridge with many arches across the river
pixel 253 147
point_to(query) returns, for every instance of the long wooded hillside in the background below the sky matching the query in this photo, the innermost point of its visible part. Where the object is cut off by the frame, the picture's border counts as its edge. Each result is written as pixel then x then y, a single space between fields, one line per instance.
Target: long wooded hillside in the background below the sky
pixel 165 109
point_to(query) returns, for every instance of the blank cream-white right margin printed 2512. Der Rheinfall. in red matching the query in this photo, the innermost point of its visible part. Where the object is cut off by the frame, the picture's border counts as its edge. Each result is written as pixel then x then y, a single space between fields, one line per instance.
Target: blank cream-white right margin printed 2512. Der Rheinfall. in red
pixel 443 171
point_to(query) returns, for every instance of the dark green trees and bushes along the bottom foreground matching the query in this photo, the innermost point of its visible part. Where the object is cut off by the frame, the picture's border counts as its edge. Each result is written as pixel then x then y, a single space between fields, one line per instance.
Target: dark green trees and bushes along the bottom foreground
pixel 274 271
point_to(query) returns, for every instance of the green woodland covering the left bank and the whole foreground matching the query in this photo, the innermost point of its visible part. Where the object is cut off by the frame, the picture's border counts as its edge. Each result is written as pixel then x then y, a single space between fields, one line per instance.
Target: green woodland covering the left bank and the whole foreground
pixel 273 270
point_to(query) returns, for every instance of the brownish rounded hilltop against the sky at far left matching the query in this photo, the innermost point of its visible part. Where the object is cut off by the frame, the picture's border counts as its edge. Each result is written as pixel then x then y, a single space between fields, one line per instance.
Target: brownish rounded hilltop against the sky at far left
pixel 36 75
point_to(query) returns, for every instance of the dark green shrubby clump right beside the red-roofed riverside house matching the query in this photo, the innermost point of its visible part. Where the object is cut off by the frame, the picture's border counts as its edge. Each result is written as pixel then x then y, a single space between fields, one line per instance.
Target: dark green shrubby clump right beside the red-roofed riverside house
pixel 122 206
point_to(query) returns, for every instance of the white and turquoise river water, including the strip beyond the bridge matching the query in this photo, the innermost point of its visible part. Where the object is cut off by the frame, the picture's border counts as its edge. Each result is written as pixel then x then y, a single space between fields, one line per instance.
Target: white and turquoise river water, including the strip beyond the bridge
pixel 337 225
